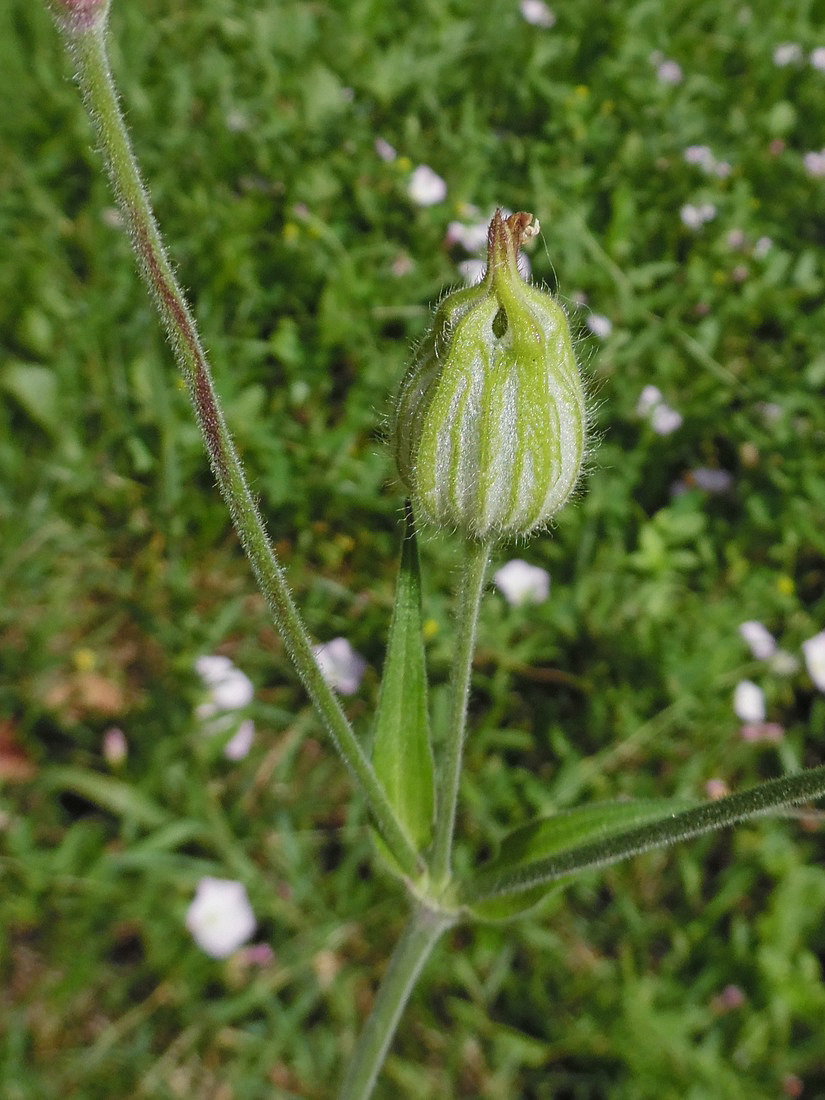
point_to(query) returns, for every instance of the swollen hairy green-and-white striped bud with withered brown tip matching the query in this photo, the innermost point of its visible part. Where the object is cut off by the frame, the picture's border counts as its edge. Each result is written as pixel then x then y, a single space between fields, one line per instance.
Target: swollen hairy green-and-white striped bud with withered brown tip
pixel 490 422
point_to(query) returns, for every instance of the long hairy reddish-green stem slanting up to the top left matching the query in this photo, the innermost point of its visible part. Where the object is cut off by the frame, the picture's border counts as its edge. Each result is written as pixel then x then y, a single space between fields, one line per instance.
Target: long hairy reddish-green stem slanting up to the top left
pixel 89 49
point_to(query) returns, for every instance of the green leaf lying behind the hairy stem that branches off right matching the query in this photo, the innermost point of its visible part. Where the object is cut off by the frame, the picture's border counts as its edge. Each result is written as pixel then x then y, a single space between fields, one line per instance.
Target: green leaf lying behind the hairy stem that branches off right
pixel 548 837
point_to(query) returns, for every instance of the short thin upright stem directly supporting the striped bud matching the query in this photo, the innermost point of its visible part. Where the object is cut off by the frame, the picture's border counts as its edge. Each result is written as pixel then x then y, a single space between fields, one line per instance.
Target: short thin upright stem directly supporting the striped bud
pixel 470 593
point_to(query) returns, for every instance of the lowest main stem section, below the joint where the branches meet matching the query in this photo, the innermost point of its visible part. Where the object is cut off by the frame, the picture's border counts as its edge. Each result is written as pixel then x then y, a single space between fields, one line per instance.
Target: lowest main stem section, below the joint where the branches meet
pixel 422 934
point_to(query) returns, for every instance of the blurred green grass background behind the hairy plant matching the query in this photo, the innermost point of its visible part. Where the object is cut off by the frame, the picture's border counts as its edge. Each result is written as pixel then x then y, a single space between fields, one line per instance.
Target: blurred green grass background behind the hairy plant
pixel 312 273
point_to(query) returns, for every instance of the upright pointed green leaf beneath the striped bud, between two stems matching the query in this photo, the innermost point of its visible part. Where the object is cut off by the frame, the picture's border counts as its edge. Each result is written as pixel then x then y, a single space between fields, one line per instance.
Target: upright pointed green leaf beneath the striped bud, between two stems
pixel 402 752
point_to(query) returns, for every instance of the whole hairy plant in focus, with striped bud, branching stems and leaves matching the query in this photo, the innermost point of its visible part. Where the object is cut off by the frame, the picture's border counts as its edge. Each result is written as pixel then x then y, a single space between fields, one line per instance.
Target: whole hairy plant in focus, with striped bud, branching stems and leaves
pixel 490 434
